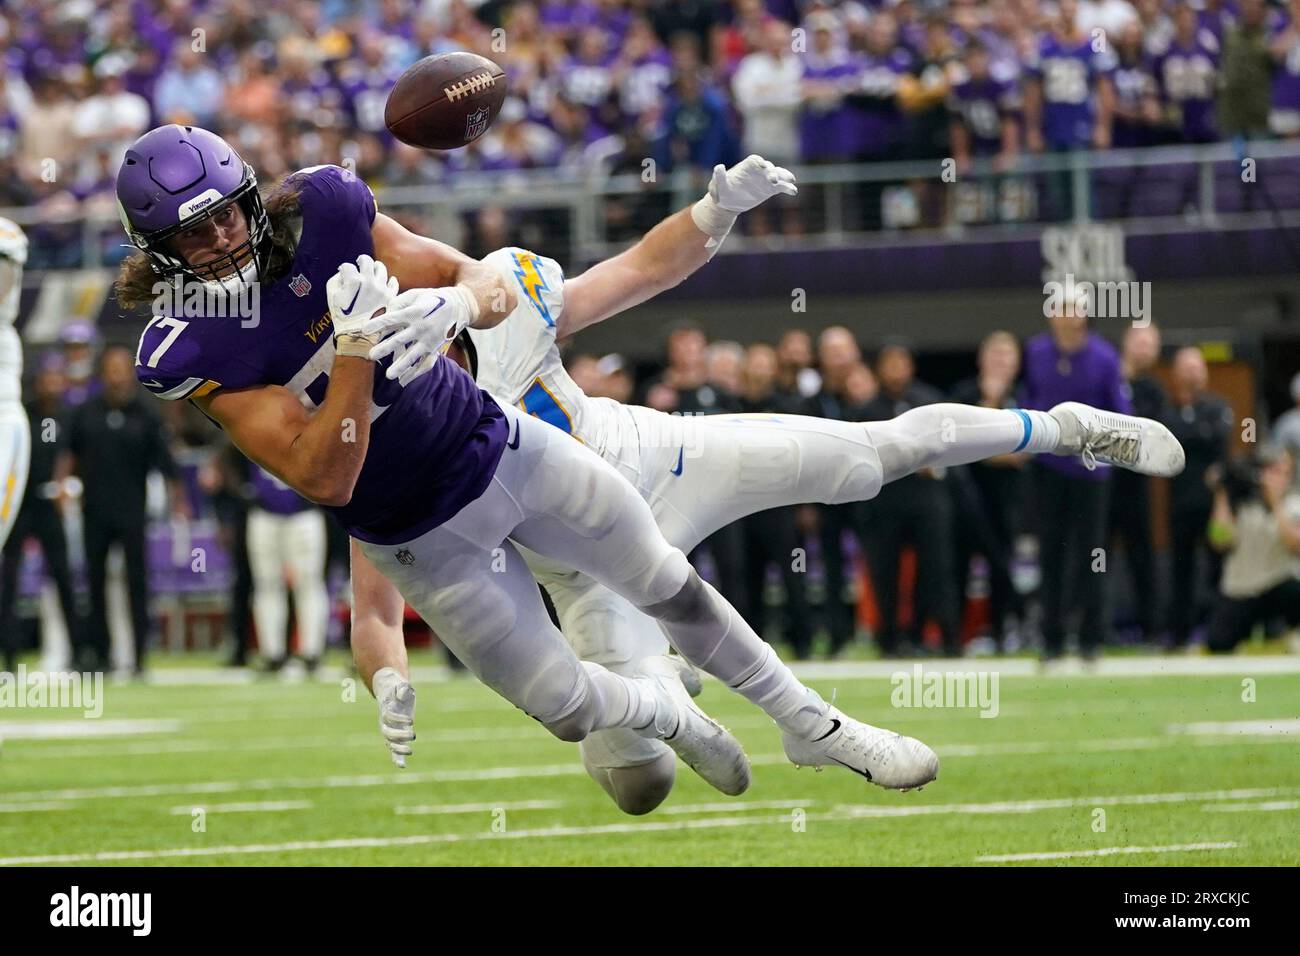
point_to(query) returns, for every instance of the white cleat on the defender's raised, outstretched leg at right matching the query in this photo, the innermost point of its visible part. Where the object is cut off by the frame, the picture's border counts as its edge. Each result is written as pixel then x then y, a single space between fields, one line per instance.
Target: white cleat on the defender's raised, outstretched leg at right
pixel 1126 442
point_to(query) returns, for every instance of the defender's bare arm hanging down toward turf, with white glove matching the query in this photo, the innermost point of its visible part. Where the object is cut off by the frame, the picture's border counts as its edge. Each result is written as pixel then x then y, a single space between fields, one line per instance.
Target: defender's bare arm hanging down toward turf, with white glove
pixel 379 651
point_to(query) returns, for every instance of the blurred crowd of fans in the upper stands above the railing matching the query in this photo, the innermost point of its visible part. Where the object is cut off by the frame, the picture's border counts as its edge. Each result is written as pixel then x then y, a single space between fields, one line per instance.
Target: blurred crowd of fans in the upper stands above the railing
pixel 600 86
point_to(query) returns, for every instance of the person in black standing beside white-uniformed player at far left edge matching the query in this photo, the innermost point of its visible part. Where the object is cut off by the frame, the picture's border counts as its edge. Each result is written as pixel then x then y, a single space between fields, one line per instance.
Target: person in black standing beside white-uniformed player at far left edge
pixel 41 517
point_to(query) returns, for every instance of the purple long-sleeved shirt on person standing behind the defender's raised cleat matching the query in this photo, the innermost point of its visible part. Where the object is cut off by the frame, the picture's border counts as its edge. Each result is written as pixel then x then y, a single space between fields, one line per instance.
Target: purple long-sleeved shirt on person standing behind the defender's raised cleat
pixel 1091 377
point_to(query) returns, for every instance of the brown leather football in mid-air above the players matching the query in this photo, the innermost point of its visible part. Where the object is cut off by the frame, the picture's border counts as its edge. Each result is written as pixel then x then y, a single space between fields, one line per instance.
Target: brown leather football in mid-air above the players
pixel 445 102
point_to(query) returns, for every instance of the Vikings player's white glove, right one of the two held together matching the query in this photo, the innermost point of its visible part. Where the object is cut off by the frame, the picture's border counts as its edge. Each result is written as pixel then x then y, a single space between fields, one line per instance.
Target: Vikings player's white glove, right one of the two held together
pixel 423 323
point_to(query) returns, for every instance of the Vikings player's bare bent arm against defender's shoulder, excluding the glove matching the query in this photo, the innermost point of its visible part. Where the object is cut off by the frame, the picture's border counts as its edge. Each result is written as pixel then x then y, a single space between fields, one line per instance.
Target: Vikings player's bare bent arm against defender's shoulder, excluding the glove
pixel 419 262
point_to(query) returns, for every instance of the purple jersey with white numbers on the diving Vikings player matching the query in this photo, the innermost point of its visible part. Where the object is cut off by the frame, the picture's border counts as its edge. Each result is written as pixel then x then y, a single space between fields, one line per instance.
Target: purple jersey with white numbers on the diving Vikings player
pixel 435 444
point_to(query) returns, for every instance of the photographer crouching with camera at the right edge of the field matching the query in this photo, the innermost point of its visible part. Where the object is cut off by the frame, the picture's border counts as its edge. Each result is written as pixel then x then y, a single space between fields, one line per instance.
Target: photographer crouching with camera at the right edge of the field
pixel 1256 524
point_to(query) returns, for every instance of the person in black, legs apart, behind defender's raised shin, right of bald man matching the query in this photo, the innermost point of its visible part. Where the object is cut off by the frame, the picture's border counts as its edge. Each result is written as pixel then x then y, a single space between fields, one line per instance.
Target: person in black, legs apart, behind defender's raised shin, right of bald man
pixel 916 511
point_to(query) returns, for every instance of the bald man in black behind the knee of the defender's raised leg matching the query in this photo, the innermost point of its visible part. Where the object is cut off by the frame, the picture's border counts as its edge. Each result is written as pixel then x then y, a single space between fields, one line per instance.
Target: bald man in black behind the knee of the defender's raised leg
pixel 838 358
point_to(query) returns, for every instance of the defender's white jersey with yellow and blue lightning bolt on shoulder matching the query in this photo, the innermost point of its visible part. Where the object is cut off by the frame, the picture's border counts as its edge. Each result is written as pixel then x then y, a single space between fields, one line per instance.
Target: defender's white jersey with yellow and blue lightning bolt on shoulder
pixel 519 361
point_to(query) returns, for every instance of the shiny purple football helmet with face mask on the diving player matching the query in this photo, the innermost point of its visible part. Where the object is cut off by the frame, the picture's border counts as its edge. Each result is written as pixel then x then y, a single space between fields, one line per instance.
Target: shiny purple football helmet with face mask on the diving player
pixel 174 179
